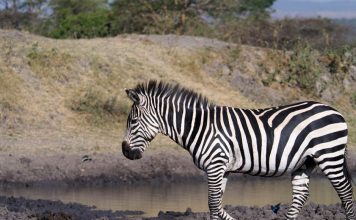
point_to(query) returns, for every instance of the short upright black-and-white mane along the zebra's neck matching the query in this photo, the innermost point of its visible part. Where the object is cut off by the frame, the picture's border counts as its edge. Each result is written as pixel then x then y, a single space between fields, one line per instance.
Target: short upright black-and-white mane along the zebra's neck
pixel 154 88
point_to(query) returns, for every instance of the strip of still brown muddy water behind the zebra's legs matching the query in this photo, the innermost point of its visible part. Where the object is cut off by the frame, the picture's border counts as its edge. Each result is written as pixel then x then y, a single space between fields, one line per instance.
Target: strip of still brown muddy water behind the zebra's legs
pixel 177 197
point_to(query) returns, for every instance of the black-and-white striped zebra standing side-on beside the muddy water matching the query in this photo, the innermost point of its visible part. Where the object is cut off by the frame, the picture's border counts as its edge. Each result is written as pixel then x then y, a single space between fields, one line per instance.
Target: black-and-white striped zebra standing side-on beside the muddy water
pixel 269 142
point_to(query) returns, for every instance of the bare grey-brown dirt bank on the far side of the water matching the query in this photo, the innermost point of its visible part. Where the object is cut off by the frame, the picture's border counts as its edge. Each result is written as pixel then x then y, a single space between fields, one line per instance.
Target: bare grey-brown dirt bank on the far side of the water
pixel 105 169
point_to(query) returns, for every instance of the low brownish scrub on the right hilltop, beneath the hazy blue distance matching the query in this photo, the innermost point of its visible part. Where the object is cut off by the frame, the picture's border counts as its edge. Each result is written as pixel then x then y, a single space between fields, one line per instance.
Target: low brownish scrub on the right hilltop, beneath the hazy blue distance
pixel 286 34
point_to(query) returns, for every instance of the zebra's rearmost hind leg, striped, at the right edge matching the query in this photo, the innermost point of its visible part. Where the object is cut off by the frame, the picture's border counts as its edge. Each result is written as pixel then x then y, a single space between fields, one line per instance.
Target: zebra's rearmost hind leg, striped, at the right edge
pixel 335 168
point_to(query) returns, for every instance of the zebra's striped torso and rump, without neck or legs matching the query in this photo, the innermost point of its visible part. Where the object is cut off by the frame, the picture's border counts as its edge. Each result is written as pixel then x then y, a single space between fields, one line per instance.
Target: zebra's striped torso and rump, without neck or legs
pixel 273 141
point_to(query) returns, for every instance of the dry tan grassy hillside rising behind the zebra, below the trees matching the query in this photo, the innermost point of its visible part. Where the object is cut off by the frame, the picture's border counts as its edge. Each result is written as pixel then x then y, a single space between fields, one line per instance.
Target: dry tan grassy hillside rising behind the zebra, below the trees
pixel 68 95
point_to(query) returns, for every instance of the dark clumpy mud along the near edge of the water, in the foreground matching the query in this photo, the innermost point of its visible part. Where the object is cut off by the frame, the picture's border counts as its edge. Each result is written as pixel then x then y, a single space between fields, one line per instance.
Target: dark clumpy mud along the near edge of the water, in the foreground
pixel 20 208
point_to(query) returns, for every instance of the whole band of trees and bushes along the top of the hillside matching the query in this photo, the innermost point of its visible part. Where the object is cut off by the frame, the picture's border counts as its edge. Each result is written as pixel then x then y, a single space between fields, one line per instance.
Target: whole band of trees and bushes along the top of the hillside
pixel 242 21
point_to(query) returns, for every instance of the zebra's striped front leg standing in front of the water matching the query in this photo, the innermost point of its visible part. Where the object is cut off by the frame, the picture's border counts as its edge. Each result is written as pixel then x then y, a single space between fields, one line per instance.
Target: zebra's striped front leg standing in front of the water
pixel 217 182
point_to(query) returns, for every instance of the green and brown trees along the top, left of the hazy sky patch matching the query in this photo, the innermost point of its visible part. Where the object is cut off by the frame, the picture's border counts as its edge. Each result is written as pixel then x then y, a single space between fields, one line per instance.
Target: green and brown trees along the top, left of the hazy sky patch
pixel 99 18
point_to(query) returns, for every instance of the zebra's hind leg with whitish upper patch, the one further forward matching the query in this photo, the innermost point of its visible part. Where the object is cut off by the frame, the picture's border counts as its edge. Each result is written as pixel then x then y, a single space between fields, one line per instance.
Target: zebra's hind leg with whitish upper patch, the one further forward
pixel 300 184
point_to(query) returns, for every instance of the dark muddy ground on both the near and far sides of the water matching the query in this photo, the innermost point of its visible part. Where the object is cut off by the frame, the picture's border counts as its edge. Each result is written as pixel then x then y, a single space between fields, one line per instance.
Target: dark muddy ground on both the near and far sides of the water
pixel 109 169
